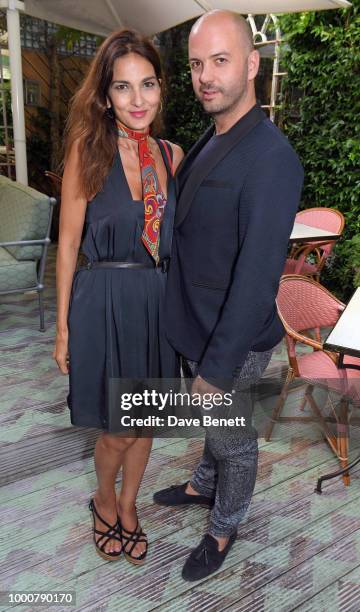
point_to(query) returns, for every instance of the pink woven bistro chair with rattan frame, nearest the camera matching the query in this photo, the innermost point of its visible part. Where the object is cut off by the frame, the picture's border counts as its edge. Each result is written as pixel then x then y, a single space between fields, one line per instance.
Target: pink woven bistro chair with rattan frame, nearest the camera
pixel 305 307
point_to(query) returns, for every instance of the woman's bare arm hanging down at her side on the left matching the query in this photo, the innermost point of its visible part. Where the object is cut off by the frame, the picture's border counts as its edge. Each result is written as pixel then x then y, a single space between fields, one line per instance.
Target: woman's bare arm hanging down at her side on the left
pixel 72 215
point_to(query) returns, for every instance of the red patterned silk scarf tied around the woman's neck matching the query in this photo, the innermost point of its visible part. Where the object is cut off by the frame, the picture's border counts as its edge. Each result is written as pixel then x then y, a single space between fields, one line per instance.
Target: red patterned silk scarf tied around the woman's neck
pixel 154 199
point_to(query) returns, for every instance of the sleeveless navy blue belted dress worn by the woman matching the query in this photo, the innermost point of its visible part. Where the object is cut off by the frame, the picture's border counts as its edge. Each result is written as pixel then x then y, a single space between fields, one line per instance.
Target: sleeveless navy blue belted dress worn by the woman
pixel 116 315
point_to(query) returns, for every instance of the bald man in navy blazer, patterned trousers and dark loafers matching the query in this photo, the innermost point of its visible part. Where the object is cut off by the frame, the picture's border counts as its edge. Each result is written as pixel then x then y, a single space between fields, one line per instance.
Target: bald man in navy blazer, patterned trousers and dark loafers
pixel 239 189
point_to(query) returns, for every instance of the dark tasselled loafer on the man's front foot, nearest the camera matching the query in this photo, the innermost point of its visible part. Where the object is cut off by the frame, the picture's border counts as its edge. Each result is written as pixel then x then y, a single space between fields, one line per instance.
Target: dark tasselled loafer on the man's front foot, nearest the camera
pixel 205 559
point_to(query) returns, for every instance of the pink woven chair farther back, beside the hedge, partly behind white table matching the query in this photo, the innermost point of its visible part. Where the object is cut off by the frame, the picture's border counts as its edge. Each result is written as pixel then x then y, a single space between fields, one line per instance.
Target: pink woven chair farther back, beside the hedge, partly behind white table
pixel 325 218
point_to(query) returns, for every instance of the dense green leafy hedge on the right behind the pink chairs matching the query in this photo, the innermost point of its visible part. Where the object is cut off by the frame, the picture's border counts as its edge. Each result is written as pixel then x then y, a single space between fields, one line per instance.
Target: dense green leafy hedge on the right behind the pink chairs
pixel 321 119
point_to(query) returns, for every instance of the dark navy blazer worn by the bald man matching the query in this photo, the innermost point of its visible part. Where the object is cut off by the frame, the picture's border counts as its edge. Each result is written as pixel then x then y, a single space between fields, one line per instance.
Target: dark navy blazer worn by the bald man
pixel 234 216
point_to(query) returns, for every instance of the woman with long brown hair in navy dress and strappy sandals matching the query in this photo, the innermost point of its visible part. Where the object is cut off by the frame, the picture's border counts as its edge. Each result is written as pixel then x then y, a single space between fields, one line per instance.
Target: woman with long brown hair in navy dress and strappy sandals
pixel 118 181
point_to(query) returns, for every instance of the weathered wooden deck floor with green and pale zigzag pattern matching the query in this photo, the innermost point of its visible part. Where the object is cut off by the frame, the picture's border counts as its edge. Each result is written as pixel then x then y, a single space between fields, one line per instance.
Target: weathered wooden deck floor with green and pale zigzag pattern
pixel 295 550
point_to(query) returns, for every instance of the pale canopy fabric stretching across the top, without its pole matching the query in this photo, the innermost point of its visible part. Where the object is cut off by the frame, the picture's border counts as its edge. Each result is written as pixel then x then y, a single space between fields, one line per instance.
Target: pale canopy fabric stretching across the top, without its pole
pixel 151 16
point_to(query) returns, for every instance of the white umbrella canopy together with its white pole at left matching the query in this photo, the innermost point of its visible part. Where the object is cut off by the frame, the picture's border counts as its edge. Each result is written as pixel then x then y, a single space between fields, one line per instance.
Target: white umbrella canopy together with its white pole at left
pixel 104 16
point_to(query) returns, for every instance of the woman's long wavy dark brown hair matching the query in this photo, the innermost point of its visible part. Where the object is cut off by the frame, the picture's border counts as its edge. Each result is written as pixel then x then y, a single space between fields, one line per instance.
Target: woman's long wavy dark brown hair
pixel 89 123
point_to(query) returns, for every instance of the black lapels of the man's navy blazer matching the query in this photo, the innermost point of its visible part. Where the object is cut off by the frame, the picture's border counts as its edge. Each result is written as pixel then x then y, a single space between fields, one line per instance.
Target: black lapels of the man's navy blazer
pixel 190 178
